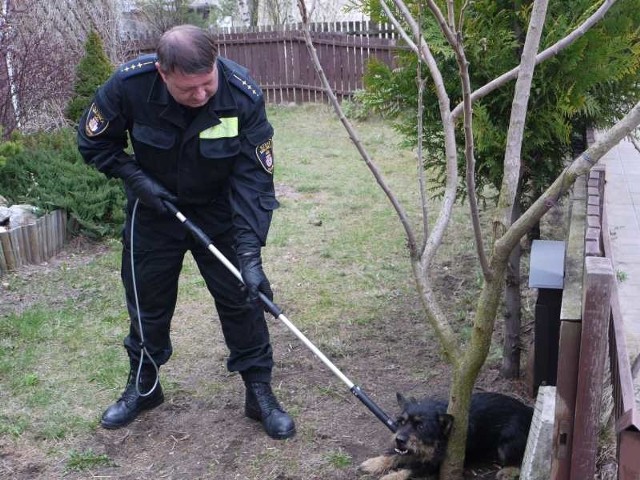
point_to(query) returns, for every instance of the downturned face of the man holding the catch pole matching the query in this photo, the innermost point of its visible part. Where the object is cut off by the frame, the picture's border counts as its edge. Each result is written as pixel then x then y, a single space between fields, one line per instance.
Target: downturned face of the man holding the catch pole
pixel 191 90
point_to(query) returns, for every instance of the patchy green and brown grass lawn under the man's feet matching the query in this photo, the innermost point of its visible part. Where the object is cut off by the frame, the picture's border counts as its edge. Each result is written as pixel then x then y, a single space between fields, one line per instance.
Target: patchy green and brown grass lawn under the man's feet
pixel 337 260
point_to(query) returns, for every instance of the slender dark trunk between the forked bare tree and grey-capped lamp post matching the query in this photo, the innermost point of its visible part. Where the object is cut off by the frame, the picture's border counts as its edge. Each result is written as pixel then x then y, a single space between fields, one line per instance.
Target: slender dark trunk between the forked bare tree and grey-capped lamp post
pixel 513 312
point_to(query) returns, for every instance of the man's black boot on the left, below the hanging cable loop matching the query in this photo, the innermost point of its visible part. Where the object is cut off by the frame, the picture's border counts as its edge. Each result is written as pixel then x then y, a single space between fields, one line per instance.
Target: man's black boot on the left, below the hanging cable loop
pixel 131 403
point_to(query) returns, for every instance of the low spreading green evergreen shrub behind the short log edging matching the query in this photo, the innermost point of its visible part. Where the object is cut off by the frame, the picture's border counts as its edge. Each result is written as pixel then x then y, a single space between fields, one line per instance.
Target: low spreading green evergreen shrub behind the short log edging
pixel 48 172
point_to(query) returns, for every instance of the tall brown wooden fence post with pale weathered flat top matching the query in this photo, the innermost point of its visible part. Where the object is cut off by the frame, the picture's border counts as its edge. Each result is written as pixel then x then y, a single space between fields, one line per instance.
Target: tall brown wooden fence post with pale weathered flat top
pixel 596 306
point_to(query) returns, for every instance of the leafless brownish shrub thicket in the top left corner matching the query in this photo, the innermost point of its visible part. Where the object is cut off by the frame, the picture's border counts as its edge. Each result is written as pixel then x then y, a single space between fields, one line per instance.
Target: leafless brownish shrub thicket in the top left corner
pixel 41 44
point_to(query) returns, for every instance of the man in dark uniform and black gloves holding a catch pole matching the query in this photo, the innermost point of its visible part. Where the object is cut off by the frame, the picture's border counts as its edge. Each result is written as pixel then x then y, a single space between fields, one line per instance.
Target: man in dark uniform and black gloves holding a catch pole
pixel 201 140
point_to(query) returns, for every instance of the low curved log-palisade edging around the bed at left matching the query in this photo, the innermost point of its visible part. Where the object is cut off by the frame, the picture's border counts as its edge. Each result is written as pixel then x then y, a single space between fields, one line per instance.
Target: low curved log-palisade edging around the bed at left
pixel 34 243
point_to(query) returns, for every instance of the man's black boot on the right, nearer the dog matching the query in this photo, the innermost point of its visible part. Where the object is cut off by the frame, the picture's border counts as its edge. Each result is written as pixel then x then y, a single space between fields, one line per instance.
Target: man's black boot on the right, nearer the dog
pixel 261 404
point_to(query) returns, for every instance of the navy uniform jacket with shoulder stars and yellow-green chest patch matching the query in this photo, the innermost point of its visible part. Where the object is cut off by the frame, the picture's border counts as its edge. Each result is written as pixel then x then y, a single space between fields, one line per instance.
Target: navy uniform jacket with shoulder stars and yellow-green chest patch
pixel 218 164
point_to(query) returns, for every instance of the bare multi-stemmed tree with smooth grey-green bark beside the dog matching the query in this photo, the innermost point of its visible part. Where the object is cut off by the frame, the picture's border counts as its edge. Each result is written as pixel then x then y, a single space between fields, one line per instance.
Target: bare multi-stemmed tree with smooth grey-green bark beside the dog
pixel 467 359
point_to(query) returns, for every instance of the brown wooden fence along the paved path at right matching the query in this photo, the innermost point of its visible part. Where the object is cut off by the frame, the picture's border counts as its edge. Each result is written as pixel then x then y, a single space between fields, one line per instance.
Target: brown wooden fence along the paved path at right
pixel 591 325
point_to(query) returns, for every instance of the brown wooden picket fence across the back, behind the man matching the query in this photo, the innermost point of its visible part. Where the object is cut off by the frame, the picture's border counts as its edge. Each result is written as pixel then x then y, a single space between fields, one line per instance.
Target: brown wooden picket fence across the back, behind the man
pixel 280 63
